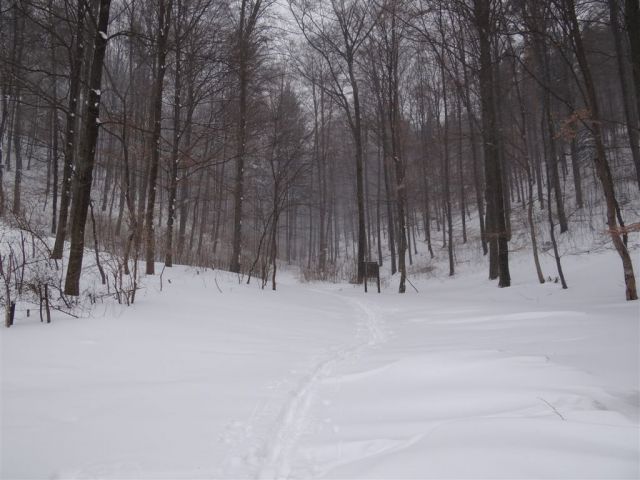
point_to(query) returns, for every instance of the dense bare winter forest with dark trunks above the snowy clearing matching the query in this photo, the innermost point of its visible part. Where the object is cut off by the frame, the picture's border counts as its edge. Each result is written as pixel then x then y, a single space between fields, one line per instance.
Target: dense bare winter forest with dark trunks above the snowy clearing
pixel 325 133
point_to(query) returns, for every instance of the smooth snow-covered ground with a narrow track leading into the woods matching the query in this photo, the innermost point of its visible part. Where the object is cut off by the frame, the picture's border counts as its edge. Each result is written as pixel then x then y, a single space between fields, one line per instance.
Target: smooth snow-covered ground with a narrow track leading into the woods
pixel 463 380
